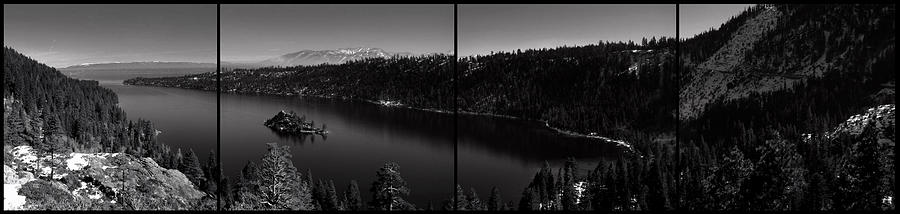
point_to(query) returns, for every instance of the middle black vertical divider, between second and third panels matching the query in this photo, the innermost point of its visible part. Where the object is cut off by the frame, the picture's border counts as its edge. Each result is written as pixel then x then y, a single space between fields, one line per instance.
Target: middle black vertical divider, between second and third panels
pixel 455 107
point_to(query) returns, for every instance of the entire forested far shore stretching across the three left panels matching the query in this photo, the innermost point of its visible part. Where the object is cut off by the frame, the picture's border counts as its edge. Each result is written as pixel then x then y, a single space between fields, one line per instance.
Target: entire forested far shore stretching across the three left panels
pixel 609 89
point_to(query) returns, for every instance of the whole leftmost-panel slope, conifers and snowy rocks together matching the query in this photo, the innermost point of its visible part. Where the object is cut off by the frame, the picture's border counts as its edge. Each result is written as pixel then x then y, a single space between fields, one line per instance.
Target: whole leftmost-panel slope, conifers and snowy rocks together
pixel 64 139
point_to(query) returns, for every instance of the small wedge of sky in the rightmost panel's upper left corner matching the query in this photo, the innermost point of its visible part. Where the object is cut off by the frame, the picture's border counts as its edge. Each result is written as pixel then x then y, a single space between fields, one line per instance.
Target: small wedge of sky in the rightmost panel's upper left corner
pixel 696 18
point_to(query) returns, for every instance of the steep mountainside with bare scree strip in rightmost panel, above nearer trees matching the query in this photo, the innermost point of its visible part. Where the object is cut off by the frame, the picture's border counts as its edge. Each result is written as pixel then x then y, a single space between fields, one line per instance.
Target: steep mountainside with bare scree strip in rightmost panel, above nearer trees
pixel 778 46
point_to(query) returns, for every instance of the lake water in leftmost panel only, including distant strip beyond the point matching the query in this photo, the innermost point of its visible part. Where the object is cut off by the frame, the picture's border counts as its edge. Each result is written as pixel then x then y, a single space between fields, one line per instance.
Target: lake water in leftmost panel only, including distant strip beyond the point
pixel 187 118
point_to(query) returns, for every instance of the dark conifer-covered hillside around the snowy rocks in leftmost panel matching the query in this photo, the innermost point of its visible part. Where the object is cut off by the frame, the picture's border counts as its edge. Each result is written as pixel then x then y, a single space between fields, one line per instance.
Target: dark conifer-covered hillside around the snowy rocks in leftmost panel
pixel 58 116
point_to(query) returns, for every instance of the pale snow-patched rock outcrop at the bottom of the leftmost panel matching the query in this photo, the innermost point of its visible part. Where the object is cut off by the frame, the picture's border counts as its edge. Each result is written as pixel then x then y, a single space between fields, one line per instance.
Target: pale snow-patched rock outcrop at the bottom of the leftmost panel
pixel 93 181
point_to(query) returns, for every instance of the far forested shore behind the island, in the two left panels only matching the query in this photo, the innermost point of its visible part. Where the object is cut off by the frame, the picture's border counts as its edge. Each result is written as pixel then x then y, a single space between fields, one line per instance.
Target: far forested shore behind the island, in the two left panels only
pixel 420 82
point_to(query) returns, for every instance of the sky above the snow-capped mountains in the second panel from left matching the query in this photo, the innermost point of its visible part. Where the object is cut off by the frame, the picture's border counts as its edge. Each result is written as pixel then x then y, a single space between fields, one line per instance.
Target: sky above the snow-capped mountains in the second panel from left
pixel 256 32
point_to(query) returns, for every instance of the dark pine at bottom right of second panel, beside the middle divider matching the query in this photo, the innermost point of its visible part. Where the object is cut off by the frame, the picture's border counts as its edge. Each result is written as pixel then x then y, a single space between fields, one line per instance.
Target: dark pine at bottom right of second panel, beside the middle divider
pixel 389 188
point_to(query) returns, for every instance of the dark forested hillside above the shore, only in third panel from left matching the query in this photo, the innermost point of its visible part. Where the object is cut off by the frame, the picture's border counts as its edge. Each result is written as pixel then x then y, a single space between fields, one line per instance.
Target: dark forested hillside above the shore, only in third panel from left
pixel 610 89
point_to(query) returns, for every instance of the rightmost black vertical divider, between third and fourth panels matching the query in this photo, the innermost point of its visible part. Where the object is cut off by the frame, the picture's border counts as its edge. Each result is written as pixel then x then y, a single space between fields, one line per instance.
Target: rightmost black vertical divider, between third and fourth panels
pixel 678 184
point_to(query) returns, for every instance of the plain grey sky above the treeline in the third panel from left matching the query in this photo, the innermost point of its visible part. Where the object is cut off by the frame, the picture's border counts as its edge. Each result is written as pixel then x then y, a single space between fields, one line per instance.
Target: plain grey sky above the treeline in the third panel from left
pixel 486 28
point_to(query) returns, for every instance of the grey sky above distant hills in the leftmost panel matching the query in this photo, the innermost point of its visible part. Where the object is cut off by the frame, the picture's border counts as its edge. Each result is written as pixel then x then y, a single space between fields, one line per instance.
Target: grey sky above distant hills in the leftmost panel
pixel 63 35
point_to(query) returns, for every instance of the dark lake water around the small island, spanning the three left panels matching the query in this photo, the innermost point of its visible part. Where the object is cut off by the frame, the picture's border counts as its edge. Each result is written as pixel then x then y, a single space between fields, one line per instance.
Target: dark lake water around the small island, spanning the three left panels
pixel 492 151
